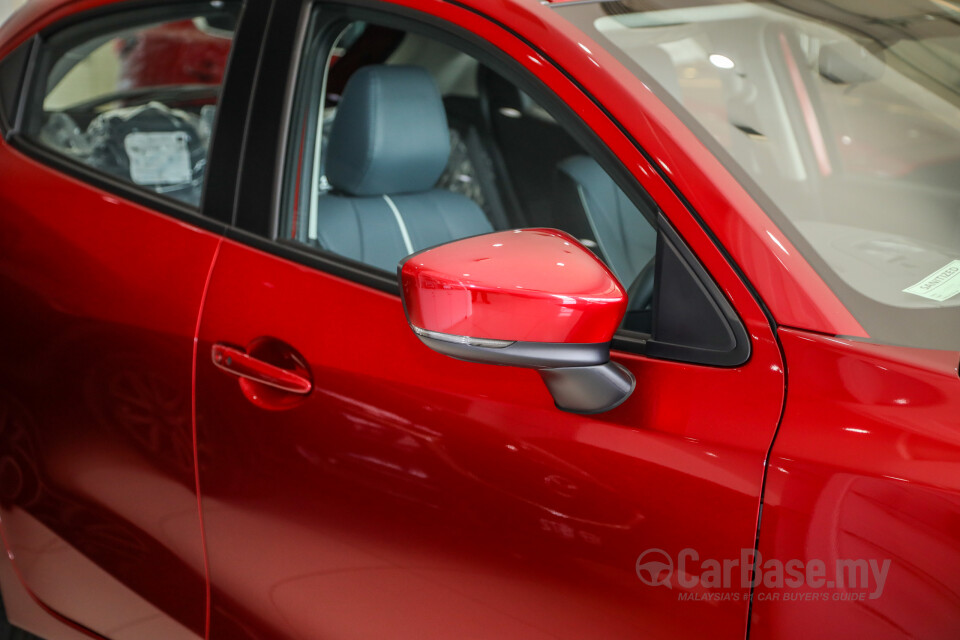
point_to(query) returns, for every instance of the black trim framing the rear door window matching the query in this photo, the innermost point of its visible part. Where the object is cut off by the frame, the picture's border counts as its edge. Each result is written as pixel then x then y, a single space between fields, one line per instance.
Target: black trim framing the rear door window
pixel 129 191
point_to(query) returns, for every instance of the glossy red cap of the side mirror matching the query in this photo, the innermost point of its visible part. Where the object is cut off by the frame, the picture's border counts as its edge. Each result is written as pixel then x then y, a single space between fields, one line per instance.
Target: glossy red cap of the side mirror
pixel 534 285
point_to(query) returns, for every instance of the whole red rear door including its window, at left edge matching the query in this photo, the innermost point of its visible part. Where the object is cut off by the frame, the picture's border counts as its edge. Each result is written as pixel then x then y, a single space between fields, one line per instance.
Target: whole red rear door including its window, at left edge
pixel 102 274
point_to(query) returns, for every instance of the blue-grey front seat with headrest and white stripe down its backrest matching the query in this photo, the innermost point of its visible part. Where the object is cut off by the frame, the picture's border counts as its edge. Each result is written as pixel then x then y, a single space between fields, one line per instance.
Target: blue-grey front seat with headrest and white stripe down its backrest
pixel 388 147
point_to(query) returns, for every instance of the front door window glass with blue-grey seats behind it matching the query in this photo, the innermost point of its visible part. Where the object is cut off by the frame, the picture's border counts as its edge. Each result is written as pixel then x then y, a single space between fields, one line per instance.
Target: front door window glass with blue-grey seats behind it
pixel 402 142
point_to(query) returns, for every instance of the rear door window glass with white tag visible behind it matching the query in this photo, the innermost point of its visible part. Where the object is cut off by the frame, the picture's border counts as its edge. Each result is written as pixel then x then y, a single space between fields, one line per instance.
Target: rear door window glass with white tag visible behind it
pixel 136 98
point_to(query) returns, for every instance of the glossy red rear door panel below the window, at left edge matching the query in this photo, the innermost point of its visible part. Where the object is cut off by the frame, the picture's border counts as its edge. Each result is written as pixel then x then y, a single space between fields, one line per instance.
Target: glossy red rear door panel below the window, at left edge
pixel 97 492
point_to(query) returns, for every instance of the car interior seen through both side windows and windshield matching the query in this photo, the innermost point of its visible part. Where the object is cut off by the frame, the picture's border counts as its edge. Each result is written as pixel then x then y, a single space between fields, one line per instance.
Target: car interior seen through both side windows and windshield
pixel 400 142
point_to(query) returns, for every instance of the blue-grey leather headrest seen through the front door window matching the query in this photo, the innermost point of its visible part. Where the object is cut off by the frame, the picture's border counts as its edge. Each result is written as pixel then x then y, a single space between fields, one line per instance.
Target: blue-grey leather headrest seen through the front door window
pixel 390 134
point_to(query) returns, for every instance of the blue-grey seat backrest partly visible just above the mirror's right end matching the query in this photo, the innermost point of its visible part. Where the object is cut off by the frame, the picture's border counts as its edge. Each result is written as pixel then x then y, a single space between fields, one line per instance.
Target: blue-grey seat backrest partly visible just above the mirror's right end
pixel 625 238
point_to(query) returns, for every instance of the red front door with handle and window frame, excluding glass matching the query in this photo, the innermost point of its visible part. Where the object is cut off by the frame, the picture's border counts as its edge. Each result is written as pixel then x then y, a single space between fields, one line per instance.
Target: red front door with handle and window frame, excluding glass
pixel 357 484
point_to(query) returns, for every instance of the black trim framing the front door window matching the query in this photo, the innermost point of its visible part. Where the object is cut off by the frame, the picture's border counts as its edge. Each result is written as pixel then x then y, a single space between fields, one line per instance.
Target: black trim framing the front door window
pixel 260 231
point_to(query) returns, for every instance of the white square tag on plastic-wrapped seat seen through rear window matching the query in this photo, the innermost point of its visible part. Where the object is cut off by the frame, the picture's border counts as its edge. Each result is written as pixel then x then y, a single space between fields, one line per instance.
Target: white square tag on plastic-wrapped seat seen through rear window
pixel 159 157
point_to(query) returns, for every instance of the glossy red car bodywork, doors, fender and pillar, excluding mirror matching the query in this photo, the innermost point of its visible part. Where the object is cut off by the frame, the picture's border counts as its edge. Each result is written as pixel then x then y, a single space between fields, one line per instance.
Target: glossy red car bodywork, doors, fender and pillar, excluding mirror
pixel 407 486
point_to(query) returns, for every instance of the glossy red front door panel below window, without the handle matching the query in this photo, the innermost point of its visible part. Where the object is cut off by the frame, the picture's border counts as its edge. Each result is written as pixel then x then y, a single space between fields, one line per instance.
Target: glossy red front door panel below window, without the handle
pixel 412 494
